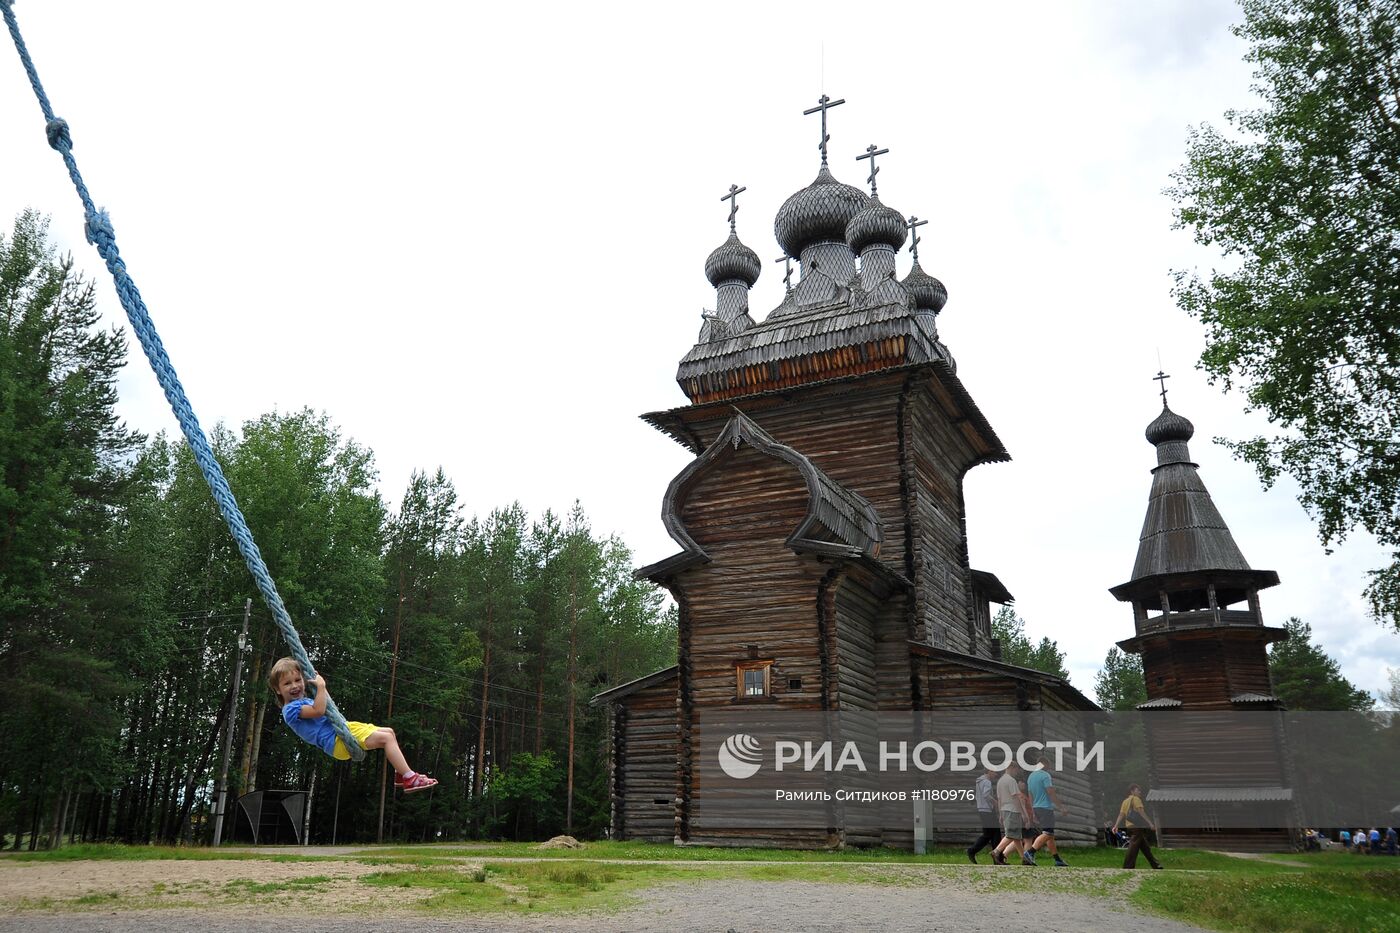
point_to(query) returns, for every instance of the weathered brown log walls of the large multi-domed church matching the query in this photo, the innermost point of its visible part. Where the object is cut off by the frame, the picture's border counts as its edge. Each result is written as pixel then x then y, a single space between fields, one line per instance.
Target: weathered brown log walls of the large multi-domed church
pixel 838 634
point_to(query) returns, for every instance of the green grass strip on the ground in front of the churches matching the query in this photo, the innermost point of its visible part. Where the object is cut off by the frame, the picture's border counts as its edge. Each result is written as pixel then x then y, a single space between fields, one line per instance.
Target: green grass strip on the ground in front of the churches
pixel 1314 892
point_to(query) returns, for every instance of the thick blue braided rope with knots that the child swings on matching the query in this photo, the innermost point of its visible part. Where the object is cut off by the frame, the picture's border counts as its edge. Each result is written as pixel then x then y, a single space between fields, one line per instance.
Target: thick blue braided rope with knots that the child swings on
pixel 100 235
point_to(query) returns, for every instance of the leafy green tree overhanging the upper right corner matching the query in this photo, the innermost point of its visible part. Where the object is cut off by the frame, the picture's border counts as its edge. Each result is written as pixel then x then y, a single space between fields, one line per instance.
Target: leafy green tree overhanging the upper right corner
pixel 1304 198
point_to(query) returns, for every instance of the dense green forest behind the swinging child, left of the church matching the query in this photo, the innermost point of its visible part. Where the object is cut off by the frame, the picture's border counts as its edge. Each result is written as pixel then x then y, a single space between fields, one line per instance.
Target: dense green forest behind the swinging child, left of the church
pixel 122 596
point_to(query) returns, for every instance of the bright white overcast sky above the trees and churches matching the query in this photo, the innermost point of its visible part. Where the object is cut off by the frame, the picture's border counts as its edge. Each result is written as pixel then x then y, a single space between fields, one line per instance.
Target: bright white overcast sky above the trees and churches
pixel 475 237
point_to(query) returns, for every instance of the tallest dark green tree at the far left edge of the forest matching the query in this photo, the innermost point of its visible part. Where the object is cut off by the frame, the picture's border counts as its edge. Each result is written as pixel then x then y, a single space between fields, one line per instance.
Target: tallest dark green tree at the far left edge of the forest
pixel 64 490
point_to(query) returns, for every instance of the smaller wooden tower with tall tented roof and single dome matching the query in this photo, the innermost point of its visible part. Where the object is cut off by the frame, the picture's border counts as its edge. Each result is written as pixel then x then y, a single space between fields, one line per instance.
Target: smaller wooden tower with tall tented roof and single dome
pixel 1216 749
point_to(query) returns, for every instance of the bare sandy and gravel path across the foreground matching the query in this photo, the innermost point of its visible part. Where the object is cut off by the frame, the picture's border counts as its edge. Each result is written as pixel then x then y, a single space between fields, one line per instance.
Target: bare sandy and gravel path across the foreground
pixel 216 900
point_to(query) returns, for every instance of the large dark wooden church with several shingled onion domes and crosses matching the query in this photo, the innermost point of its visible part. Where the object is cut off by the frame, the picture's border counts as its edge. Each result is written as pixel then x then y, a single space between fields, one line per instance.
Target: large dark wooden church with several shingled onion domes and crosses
pixel 822 529
